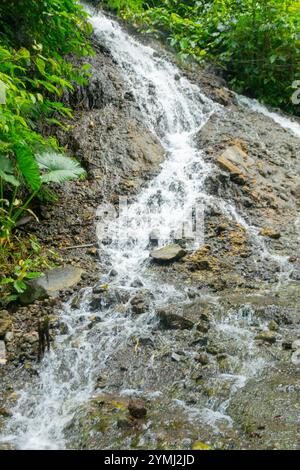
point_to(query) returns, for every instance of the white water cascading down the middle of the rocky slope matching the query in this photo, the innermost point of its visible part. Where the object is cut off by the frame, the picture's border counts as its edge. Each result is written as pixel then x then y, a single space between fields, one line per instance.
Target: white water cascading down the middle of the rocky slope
pixel 174 109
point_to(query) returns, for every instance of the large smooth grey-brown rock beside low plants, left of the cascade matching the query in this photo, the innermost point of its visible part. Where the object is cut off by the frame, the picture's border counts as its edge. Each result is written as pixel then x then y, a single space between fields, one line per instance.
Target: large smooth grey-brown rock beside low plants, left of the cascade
pixel 51 283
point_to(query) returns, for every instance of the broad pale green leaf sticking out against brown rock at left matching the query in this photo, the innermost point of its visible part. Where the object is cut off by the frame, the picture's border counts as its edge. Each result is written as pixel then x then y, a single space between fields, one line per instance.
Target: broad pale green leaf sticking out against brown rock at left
pixel 58 168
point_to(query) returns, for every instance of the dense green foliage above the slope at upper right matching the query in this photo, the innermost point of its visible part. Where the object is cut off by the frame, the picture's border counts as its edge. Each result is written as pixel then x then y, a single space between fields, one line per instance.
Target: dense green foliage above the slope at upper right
pixel 256 42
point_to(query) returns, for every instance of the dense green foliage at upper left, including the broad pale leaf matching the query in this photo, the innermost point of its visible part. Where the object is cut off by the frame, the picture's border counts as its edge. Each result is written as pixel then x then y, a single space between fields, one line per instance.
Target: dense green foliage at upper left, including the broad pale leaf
pixel 36 40
